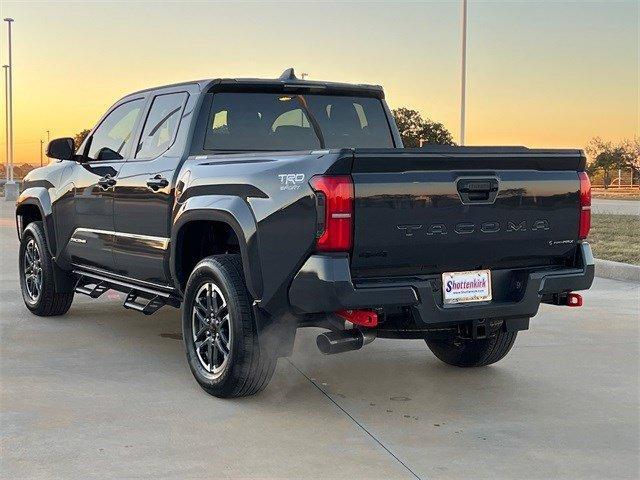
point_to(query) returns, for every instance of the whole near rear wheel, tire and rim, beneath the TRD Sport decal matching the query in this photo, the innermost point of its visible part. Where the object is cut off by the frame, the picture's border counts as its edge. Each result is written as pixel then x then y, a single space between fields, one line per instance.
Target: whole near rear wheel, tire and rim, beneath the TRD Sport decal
pixel 246 369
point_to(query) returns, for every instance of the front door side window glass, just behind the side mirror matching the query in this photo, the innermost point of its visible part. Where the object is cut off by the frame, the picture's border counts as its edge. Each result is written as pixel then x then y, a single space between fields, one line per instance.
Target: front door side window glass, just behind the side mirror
pixel 113 138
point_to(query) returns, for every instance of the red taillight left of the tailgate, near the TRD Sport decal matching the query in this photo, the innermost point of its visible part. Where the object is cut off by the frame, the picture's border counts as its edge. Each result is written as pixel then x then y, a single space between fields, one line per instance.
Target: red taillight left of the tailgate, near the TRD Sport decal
pixel 334 202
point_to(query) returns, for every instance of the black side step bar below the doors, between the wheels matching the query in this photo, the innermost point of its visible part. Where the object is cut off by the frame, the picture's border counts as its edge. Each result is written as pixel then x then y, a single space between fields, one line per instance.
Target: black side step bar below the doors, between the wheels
pixel 141 299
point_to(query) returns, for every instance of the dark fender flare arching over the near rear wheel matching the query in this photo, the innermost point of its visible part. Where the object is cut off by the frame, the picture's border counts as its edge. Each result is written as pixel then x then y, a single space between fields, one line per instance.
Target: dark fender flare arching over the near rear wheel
pixel 233 211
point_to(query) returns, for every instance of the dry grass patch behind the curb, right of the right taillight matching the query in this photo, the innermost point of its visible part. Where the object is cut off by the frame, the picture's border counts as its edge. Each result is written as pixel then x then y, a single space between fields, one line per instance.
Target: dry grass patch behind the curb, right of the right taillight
pixel 616 237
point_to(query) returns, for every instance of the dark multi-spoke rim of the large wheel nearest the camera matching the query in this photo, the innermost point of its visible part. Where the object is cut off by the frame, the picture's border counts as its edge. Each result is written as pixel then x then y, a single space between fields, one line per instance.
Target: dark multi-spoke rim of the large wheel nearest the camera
pixel 212 334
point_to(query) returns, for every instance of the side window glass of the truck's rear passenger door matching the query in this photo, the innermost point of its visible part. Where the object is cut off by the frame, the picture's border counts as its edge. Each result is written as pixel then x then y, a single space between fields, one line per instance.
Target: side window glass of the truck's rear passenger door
pixel 161 125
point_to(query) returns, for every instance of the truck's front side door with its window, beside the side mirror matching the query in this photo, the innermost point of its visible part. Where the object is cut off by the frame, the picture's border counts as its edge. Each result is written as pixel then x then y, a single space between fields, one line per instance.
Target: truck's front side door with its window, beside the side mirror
pixel 106 150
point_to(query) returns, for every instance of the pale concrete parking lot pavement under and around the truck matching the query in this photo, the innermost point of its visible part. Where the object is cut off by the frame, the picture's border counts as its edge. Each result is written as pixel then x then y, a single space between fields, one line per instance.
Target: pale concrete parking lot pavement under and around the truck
pixel 104 392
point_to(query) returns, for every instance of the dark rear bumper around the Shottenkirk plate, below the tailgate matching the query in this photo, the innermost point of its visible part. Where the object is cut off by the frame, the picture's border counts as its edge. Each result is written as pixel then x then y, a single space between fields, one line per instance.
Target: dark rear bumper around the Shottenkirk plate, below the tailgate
pixel 324 284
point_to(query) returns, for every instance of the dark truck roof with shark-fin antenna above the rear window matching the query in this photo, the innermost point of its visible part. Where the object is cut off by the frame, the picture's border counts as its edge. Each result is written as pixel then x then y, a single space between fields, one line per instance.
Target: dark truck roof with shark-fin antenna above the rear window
pixel 286 81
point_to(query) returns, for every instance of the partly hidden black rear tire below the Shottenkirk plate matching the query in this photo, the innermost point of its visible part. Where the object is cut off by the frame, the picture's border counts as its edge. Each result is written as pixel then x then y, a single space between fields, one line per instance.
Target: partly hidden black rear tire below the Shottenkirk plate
pixel 473 353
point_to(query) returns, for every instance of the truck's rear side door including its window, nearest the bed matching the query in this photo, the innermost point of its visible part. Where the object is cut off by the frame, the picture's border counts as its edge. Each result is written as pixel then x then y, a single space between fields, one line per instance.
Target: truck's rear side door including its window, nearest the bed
pixel 144 193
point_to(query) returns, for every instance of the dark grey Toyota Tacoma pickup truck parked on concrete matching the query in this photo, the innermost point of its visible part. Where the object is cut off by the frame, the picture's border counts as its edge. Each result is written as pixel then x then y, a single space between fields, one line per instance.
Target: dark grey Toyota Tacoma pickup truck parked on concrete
pixel 263 206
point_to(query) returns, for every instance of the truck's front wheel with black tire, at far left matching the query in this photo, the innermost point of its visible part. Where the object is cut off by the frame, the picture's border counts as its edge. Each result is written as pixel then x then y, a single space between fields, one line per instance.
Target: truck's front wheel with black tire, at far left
pixel 37 275
